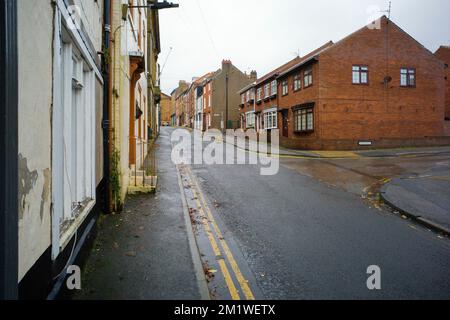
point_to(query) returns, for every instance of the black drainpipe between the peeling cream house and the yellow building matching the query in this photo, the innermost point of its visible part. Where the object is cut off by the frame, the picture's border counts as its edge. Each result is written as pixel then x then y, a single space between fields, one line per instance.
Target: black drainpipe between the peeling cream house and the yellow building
pixel 107 108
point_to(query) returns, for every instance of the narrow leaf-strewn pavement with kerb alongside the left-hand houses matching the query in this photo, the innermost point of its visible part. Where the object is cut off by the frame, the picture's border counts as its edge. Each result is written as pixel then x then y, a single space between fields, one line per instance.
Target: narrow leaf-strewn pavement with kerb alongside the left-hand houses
pixel 148 251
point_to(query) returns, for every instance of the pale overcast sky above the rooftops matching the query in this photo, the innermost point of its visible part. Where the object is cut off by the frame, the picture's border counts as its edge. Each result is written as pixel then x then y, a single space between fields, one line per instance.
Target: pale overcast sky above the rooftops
pixel 263 34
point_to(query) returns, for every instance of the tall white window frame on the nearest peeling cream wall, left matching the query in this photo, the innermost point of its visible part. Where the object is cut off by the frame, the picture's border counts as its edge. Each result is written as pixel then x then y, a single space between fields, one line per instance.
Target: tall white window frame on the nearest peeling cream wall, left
pixel 73 130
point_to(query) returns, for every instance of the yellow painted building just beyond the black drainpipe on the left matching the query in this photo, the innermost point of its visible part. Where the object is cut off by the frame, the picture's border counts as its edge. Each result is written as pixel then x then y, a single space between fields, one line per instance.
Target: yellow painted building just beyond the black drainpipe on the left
pixel 134 53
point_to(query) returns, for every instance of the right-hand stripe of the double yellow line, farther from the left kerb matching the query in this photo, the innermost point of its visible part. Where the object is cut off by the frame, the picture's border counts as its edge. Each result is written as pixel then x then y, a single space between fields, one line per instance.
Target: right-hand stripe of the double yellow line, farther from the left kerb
pixel 234 266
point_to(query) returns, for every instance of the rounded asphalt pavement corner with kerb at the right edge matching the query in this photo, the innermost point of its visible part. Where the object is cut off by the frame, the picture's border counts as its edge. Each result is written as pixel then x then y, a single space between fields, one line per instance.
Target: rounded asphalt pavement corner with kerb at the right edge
pixel 425 198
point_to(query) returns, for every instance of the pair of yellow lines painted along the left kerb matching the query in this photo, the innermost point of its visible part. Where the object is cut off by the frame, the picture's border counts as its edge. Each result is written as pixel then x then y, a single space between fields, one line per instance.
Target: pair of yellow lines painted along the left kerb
pixel 207 216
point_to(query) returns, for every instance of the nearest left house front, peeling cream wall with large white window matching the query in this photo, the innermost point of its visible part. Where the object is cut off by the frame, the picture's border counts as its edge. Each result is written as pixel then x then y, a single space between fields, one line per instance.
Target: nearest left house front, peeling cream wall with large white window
pixel 60 147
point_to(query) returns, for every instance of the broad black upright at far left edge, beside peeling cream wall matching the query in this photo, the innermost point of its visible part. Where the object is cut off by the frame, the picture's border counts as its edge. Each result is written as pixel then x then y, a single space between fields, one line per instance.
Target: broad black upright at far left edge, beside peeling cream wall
pixel 8 144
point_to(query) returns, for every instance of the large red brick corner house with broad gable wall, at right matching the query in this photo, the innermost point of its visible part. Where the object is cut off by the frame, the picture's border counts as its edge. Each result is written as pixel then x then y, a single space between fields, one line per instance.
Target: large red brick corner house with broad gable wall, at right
pixel 376 88
